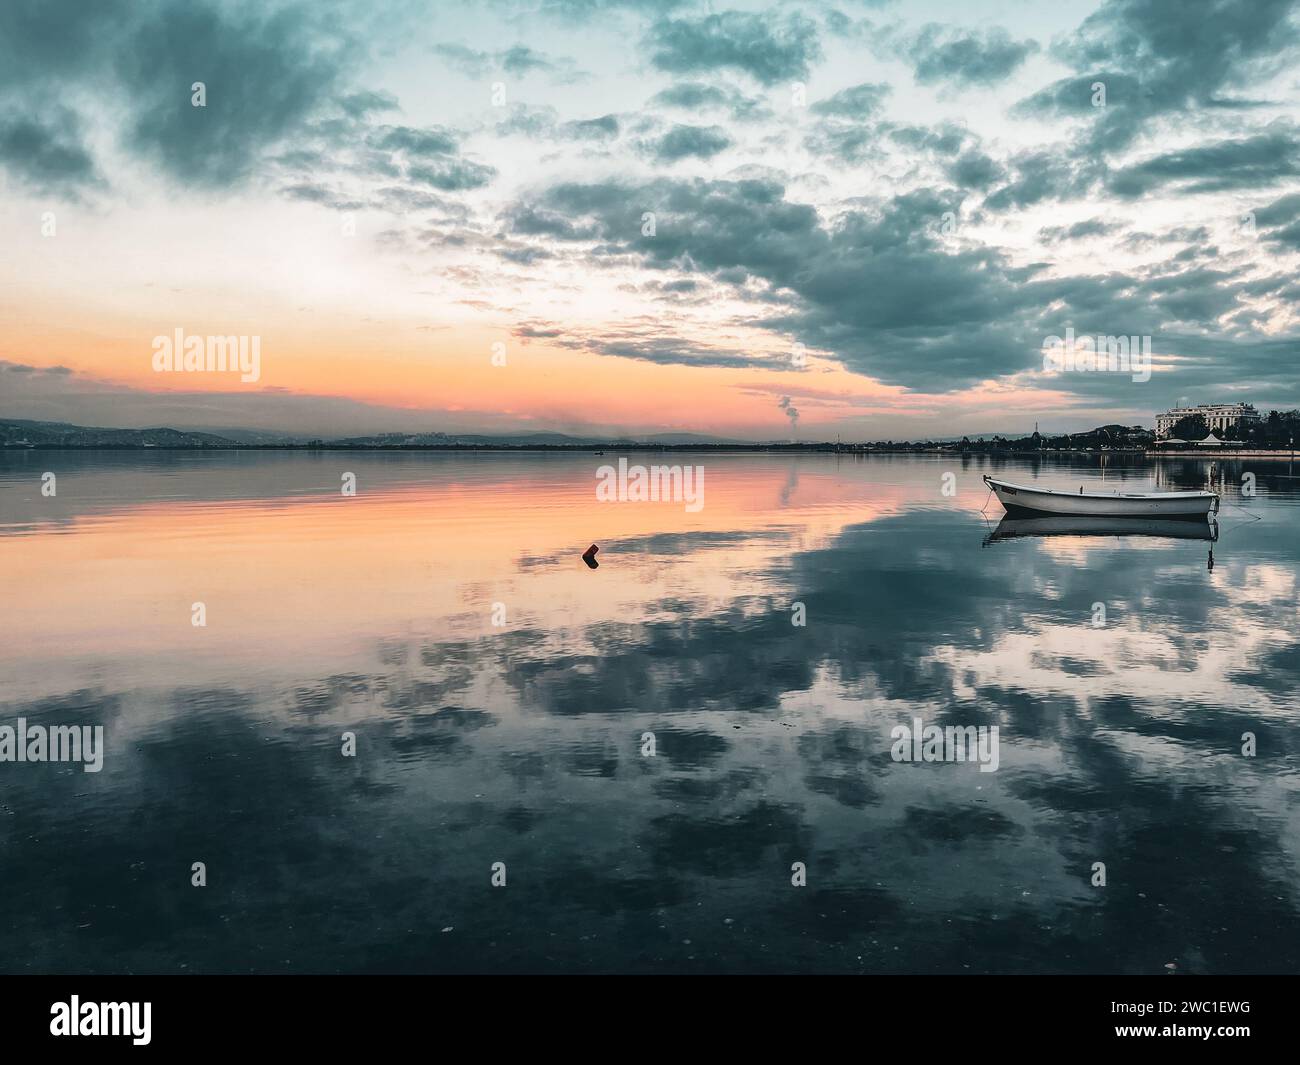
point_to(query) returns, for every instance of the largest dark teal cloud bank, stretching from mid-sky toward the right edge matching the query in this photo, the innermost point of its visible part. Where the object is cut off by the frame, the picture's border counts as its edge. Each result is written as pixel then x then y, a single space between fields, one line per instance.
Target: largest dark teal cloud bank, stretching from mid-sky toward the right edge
pixel 879 288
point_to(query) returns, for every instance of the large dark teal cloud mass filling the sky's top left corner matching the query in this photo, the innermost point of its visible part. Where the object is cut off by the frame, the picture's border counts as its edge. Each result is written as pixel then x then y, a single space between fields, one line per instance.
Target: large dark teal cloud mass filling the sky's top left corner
pixel 276 94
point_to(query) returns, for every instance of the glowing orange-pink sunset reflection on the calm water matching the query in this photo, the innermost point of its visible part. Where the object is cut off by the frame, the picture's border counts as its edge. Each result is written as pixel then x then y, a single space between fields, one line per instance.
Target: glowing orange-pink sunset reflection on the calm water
pixel 310 583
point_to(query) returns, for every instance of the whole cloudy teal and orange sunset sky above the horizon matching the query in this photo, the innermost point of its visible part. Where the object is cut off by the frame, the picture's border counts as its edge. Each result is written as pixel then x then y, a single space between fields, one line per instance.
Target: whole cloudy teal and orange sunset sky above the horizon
pixel 757 222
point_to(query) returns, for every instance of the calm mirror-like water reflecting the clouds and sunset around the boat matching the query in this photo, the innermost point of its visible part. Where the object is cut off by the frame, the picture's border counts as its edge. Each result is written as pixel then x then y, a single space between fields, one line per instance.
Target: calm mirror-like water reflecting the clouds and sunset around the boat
pixel 522 743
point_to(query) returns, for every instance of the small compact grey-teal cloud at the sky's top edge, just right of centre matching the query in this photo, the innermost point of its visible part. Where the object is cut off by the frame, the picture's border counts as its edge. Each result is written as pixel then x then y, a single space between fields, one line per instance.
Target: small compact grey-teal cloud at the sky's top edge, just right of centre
pixel 766 47
